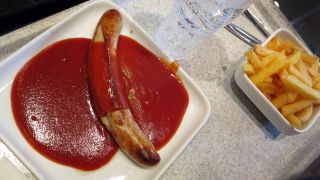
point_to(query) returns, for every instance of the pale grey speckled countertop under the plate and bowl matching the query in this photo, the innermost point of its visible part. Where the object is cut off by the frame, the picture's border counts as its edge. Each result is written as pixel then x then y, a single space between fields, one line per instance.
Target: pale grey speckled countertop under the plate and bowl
pixel 236 142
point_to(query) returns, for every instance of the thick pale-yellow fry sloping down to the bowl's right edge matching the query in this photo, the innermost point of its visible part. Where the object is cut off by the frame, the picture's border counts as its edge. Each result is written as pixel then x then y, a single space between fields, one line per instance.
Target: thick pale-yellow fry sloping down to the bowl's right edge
pixel 295 84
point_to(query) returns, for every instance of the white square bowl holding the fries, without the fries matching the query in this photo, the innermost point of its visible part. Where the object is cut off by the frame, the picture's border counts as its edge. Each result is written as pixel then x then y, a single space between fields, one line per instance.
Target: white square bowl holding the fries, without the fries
pixel 263 104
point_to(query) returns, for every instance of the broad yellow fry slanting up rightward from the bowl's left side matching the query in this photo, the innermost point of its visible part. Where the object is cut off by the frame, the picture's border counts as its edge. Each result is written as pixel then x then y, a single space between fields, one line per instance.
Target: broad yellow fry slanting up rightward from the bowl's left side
pixel 268 71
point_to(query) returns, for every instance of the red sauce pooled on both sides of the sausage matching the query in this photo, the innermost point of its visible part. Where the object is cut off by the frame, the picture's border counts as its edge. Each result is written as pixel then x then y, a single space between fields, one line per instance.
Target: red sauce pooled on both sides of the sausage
pixel 52 107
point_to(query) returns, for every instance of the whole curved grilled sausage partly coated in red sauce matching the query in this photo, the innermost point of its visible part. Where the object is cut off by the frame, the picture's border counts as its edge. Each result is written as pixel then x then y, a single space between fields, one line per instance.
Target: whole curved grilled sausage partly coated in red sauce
pixel 117 116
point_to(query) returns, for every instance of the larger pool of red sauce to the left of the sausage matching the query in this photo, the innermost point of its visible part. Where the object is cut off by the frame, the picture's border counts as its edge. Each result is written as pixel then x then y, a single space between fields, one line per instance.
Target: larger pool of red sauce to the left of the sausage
pixel 52 107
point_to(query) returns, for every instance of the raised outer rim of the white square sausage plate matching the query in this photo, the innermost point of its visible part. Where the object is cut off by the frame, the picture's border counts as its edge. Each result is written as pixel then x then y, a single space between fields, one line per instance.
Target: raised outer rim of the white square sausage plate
pixel 204 99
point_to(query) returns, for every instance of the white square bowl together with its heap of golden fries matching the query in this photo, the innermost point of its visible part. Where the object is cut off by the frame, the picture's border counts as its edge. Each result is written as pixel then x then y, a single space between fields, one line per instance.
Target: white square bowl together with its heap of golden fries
pixel 281 77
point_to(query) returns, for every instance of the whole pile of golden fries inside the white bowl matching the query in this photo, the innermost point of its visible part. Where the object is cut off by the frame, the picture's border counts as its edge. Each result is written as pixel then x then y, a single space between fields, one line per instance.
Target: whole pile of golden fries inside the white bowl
pixel 288 76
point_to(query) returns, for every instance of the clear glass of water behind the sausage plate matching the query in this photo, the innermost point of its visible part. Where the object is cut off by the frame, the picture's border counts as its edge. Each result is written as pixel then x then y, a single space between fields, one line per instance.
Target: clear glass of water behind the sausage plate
pixel 191 20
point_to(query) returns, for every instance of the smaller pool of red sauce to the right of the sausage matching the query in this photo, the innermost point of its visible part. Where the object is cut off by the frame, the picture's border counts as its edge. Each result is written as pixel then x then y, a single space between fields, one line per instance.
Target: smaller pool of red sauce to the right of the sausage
pixel 157 98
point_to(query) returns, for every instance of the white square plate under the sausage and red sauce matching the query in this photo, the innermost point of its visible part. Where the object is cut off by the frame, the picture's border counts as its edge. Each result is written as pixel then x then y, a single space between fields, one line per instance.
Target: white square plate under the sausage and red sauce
pixel 82 24
